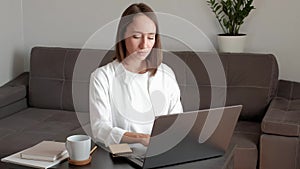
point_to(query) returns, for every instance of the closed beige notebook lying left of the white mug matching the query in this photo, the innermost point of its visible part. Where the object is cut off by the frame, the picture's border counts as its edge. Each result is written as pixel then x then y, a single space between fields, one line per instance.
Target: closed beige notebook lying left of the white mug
pixel 45 151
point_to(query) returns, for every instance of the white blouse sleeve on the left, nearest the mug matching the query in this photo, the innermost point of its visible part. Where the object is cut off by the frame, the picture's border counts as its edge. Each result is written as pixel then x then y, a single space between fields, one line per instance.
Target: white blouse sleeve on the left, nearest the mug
pixel 100 111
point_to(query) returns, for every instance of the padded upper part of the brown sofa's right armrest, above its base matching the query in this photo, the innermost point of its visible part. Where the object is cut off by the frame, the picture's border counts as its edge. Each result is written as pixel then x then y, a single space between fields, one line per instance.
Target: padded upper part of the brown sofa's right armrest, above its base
pixel 283 114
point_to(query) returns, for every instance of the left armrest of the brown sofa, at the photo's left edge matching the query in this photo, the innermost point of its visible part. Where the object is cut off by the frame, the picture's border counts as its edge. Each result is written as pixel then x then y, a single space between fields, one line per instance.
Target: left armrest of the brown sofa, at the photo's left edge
pixel 13 95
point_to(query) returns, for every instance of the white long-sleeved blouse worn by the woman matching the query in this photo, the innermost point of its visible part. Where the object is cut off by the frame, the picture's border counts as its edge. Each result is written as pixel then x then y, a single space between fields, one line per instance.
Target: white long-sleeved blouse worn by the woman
pixel 122 101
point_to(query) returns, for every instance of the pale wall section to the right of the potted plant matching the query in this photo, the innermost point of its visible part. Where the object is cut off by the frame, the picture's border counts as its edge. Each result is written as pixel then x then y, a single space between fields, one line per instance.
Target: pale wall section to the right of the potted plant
pixel 274 28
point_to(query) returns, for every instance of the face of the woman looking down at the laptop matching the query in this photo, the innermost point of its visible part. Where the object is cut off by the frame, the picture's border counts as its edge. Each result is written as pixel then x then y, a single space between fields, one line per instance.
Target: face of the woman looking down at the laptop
pixel 140 37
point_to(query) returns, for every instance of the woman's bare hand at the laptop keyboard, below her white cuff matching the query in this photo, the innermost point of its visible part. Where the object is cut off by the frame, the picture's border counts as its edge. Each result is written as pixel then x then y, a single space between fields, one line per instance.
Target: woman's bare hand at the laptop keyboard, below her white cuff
pixel 131 137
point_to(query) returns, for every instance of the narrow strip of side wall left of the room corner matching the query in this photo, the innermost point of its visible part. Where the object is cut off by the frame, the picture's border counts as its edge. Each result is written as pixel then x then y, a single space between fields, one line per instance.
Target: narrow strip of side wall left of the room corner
pixel 11 40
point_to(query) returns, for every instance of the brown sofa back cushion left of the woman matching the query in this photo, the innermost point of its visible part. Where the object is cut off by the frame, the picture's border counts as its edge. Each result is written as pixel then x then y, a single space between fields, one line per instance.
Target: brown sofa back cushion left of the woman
pixel 52 84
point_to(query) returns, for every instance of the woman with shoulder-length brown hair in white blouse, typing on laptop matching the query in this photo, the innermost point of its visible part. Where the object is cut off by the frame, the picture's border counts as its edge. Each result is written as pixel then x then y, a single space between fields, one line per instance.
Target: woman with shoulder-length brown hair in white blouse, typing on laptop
pixel 127 94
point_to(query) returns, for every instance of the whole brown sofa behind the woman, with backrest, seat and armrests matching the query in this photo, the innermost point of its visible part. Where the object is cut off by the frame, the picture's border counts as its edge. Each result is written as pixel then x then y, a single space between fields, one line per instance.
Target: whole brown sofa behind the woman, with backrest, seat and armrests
pixel 41 104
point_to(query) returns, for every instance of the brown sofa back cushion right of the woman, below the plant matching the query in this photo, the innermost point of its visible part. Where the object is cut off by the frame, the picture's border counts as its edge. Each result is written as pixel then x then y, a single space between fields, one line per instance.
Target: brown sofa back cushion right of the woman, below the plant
pixel 252 87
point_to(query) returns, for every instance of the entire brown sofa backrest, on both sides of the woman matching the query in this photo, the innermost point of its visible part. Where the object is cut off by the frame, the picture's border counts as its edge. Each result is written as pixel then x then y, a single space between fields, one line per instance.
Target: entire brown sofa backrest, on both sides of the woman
pixel 251 79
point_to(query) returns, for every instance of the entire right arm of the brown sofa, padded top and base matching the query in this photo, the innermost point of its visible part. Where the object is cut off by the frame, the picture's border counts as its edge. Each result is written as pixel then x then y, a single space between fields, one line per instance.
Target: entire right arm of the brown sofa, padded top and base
pixel 280 141
